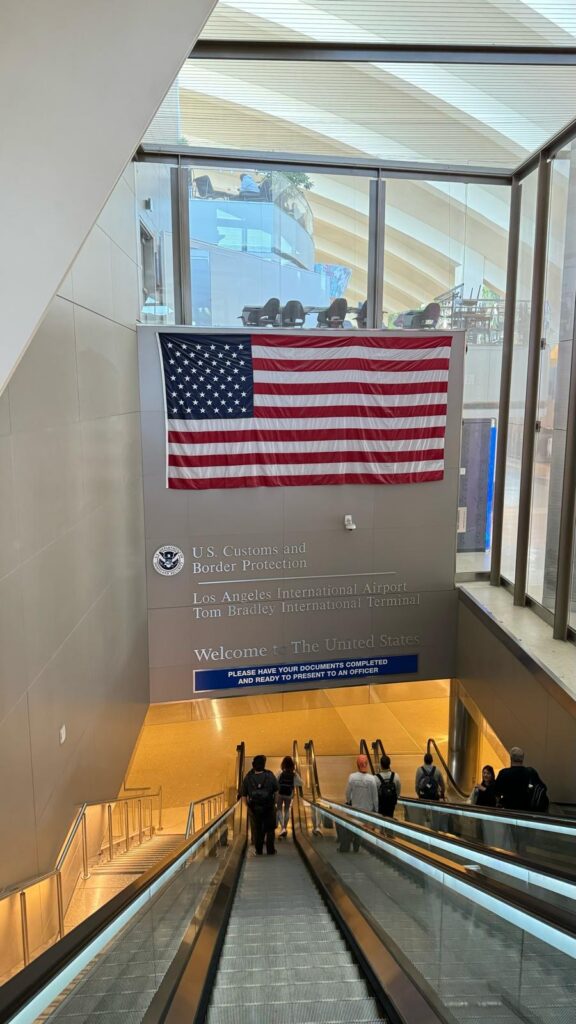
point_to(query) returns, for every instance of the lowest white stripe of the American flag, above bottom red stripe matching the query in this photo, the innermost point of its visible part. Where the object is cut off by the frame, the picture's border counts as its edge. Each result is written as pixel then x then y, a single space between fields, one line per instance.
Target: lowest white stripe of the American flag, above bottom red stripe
pixel 312 470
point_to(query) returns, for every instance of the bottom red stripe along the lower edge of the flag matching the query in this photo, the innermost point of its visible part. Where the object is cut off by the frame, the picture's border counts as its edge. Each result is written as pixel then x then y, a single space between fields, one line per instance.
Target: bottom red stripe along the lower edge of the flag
pixel 289 482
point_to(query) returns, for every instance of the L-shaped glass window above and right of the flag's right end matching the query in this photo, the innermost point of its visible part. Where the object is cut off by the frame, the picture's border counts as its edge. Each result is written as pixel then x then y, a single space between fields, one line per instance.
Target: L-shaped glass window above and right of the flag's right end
pixel 445 267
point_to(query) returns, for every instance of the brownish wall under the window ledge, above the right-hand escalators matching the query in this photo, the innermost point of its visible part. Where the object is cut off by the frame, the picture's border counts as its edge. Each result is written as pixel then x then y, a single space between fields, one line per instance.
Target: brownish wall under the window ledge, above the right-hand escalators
pixel 522 703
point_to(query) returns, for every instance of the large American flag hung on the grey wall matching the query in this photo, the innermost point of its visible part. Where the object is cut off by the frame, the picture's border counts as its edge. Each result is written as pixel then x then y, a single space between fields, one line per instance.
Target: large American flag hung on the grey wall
pixel 286 411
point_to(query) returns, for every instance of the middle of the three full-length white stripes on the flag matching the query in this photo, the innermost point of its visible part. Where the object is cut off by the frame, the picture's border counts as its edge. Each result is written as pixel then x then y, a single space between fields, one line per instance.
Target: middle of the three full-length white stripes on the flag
pixel 249 448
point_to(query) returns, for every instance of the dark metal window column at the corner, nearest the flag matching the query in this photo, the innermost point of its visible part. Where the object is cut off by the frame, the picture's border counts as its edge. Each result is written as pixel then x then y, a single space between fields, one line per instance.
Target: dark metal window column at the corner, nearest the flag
pixel 506 385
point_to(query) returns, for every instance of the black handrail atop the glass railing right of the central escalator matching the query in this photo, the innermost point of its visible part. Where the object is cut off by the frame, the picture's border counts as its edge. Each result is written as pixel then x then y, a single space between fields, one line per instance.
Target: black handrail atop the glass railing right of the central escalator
pixel 517 900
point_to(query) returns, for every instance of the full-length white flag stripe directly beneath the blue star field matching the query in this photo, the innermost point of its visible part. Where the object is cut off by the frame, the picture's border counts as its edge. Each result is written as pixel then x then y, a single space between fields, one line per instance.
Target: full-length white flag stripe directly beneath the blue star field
pixel 311 426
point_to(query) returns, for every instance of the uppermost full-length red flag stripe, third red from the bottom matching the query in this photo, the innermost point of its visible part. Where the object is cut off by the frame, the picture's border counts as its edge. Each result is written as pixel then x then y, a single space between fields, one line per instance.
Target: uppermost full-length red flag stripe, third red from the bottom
pixel 336 434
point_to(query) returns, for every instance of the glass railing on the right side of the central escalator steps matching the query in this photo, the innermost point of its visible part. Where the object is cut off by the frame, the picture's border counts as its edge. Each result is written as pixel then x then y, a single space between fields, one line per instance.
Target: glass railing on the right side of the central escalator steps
pixel 487 959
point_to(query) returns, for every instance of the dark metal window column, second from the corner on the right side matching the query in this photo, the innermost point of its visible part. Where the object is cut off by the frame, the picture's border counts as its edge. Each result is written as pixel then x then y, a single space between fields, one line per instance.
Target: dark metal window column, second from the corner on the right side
pixel 532 380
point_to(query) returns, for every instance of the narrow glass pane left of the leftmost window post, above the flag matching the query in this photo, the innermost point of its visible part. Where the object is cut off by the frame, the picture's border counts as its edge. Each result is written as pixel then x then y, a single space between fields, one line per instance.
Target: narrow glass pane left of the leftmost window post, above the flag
pixel 155 221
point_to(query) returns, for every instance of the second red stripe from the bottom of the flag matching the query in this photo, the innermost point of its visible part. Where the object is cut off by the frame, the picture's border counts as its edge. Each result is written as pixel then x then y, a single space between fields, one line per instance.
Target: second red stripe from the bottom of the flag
pixel 290 458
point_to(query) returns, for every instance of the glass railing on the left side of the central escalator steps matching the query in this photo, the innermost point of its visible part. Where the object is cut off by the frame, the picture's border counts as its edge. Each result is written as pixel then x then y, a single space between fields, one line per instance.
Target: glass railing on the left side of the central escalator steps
pixel 124 963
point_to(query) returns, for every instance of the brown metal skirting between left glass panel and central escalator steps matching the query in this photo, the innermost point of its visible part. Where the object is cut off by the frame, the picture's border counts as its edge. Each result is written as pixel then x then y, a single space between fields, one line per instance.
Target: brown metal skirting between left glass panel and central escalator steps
pixel 186 990
